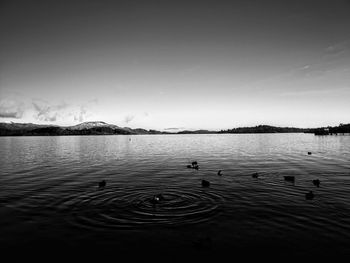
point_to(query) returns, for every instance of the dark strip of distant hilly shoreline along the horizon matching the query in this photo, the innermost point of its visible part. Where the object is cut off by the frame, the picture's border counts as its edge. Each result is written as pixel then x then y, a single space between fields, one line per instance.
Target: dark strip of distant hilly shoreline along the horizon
pixel 102 128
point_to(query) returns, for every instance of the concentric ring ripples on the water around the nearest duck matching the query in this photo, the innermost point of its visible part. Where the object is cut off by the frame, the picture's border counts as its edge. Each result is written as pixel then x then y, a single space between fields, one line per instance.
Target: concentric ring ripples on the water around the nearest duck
pixel 120 207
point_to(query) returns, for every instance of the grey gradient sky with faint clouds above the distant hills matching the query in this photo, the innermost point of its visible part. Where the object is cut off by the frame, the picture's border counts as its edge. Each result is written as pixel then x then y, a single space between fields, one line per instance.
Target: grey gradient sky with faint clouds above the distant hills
pixel 173 65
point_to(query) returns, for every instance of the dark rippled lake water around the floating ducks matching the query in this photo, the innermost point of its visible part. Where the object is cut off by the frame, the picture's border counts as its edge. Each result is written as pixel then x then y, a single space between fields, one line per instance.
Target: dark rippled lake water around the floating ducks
pixel 49 195
